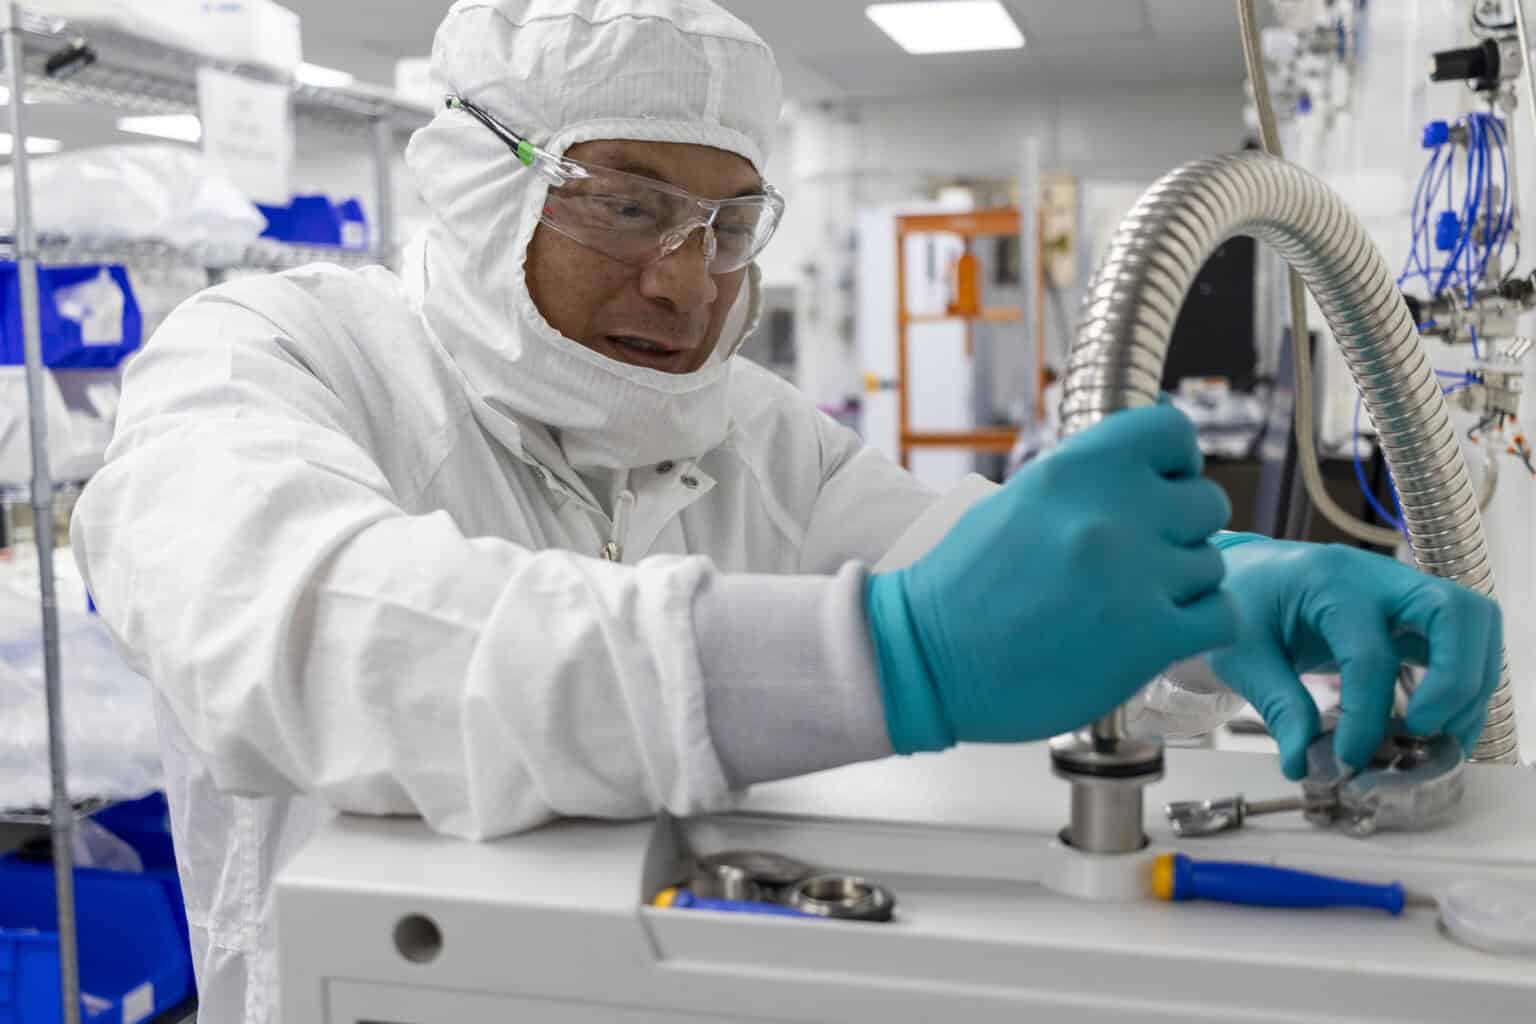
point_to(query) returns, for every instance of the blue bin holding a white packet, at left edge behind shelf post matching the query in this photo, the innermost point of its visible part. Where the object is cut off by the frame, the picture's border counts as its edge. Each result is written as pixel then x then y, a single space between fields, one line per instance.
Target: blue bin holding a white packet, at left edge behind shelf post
pixel 90 317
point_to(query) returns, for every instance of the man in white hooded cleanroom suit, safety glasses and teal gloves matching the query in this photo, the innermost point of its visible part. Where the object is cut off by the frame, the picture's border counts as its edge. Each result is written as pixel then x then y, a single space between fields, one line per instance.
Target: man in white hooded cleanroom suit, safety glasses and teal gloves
pixel 514 535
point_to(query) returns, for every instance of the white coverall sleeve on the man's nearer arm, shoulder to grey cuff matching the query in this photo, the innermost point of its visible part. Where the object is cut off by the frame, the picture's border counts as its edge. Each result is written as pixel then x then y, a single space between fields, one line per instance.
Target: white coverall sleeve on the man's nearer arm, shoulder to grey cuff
pixel 311 636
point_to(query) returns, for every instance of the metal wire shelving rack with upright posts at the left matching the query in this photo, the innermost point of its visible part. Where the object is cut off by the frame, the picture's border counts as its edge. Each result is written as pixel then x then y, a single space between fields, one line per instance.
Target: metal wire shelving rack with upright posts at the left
pixel 101 65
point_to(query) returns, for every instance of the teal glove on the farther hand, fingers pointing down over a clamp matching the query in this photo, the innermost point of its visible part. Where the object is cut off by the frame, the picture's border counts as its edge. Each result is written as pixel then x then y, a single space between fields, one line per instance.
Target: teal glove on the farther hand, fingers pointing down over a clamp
pixel 1308 607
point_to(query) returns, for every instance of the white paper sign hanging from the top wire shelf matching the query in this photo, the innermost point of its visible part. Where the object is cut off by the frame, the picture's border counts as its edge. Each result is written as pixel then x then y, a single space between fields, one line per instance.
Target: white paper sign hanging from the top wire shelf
pixel 248 133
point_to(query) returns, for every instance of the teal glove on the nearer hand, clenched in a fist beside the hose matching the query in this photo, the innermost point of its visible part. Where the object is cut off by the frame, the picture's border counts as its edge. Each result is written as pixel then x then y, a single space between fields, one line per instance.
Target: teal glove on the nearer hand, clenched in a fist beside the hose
pixel 1059 596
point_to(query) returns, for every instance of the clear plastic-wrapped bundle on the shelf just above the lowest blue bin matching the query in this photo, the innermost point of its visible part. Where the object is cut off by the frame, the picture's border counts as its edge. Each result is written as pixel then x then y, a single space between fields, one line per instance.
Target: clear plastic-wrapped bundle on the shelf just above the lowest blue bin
pixel 110 718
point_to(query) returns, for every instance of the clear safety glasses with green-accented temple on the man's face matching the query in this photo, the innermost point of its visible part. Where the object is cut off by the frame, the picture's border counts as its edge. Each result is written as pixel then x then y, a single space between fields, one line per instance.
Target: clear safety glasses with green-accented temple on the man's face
pixel 640 220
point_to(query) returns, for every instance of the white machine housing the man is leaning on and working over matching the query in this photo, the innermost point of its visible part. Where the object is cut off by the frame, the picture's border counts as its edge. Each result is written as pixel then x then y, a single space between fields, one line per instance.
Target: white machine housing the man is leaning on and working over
pixel 555 925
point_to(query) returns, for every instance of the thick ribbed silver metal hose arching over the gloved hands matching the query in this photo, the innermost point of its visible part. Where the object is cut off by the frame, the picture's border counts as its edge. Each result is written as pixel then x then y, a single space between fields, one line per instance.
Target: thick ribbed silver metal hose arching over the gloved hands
pixel 1139 289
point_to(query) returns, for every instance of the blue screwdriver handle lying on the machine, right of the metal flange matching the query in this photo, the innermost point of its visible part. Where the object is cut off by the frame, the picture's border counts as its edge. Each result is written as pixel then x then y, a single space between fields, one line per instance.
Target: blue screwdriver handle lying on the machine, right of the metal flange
pixel 1266 887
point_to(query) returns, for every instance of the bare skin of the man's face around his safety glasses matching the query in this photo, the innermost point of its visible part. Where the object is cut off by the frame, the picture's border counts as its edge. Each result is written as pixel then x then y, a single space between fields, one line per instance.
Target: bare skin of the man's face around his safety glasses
pixel 666 317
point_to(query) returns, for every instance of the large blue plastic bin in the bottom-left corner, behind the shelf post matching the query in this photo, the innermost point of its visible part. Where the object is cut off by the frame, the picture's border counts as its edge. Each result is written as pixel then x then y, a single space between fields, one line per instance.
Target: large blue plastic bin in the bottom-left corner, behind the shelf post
pixel 133 956
